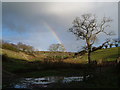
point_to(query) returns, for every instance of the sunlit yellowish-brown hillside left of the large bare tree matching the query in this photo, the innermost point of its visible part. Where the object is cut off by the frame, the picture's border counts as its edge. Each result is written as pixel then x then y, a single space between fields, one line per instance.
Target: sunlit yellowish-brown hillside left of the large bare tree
pixel 41 55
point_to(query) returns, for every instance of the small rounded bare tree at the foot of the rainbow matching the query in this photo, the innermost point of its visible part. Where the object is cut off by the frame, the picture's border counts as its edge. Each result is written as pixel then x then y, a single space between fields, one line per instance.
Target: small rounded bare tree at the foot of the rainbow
pixel 57 47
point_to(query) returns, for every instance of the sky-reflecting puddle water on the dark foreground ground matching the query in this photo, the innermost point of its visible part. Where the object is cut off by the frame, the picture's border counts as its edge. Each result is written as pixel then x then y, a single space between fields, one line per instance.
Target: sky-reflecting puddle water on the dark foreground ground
pixel 44 81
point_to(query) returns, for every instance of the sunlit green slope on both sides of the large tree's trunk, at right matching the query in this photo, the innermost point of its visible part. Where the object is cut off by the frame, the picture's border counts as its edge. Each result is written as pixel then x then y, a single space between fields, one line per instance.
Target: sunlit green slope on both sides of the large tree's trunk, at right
pixel 110 54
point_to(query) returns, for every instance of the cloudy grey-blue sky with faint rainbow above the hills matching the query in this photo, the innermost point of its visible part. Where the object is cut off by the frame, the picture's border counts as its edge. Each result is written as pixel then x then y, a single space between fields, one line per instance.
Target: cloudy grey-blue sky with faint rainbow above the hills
pixel 41 24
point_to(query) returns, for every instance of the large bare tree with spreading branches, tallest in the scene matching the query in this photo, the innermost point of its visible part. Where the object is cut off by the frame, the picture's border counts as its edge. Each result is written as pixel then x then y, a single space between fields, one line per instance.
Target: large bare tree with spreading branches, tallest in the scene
pixel 87 28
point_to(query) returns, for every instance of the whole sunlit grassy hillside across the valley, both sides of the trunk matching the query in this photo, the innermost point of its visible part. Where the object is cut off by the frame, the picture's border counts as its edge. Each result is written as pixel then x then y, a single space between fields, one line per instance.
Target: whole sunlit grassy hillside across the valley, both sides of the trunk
pixel 109 54
